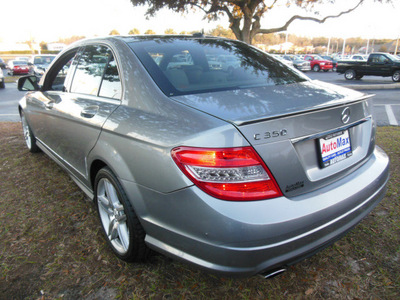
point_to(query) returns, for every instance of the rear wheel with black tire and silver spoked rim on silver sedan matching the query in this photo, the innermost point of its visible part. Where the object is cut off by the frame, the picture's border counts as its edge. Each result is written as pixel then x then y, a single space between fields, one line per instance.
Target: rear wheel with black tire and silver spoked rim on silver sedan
pixel 121 227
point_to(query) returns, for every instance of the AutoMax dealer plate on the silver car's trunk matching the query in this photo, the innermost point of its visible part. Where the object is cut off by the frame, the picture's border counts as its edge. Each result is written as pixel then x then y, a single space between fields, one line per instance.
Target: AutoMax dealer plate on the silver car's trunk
pixel 334 148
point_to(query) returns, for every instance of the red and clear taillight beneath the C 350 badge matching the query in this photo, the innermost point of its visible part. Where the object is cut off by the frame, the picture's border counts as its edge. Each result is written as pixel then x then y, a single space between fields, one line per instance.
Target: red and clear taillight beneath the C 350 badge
pixel 236 174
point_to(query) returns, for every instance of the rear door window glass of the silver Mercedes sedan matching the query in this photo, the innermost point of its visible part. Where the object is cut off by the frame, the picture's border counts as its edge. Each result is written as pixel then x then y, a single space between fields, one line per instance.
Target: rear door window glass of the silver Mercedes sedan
pixel 97 73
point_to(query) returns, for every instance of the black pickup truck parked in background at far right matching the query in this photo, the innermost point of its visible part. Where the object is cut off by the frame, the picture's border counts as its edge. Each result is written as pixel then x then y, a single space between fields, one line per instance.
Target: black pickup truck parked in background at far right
pixel 378 64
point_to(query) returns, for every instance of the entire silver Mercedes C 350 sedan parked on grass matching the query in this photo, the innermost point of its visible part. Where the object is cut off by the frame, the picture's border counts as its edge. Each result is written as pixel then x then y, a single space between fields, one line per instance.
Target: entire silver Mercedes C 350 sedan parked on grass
pixel 239 171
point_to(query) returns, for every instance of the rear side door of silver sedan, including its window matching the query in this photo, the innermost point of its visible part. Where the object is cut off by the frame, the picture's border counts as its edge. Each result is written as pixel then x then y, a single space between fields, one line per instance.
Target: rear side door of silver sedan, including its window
pixel 77 114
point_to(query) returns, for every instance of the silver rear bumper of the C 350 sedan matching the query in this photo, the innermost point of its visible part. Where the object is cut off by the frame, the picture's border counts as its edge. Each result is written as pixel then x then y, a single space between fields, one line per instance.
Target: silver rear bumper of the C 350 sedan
pixel 246 238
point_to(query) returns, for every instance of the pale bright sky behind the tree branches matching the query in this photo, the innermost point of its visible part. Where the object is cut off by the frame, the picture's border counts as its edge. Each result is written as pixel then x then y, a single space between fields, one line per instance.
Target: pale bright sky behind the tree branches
pixel 50 20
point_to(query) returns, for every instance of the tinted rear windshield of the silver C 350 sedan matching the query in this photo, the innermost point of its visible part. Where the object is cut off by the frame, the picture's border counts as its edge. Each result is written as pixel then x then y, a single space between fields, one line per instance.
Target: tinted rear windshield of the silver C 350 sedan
pixel 189 66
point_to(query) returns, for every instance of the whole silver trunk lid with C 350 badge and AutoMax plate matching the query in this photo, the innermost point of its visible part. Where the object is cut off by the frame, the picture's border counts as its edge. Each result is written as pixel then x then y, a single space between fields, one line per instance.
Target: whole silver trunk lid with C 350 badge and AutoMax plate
pixel 289 126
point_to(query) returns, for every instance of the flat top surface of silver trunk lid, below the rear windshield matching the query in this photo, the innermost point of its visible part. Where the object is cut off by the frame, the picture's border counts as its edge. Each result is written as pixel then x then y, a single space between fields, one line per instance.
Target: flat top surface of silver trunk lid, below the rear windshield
pixel 262 103
